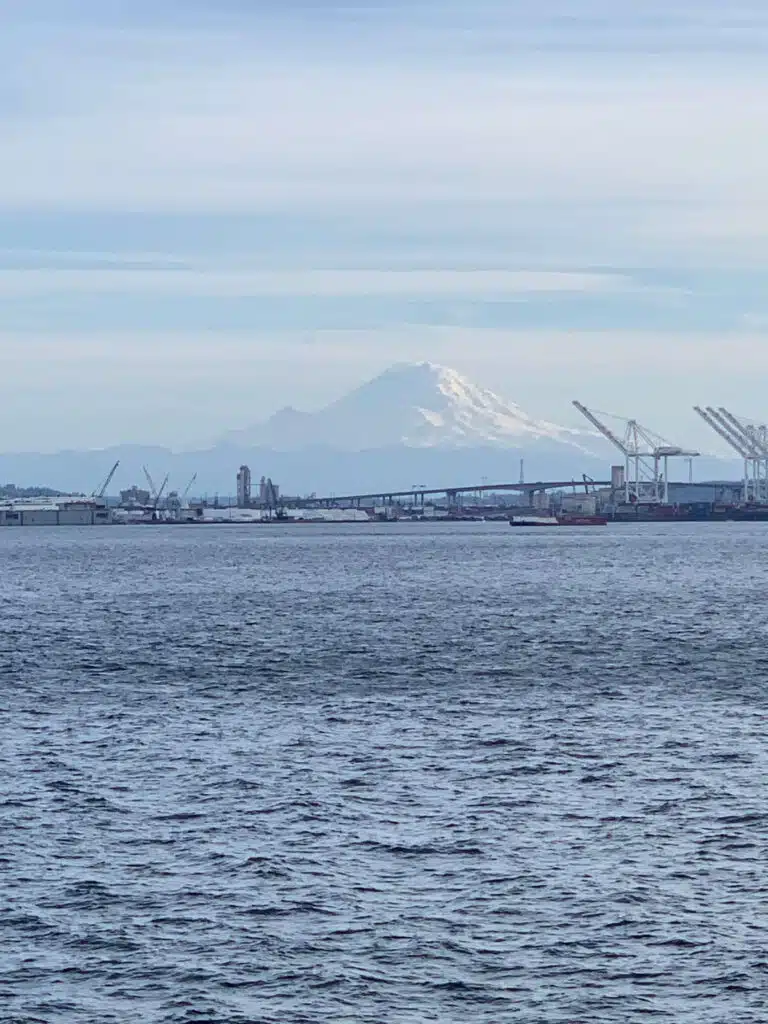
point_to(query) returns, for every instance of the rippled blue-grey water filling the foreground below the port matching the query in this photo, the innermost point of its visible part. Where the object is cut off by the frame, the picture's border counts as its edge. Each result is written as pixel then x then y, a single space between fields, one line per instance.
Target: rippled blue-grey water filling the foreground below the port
pixel 383 775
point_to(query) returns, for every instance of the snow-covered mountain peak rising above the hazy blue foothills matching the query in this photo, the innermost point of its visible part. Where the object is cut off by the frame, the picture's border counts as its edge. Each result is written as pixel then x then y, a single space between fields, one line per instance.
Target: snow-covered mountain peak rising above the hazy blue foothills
pixel 417 406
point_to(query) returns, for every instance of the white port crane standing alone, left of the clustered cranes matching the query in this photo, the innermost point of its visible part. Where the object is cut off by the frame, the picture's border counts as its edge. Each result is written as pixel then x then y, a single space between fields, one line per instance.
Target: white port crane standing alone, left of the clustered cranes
pixel 645 455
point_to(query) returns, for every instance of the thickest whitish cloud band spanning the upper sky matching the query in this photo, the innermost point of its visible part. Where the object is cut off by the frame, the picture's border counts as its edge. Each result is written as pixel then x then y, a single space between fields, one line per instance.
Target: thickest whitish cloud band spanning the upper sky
pixel 271 141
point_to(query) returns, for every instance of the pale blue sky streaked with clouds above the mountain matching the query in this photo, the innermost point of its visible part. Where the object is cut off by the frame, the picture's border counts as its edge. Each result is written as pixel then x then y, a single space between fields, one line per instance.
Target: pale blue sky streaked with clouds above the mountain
pixel 210 209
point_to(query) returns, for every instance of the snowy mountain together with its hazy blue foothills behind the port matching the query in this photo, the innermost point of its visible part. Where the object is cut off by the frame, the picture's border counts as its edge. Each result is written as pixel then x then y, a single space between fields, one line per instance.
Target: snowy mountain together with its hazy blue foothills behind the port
pixel 416 424
